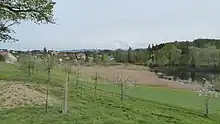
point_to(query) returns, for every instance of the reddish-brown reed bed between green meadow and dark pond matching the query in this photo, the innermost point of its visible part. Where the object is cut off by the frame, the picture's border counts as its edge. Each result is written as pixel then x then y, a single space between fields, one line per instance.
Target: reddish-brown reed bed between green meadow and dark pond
pixel 140 74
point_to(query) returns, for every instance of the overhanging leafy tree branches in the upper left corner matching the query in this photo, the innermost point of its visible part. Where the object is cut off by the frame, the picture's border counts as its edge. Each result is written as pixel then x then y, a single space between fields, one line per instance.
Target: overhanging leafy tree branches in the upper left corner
pixel 14 11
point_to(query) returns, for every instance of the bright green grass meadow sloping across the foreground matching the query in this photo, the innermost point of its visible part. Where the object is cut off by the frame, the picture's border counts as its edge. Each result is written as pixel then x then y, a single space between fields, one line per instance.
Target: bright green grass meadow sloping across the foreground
pixel 143 104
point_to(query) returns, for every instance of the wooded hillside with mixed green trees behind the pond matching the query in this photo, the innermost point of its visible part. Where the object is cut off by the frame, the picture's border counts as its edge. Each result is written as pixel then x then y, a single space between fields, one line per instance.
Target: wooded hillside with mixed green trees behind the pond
pixel 197 53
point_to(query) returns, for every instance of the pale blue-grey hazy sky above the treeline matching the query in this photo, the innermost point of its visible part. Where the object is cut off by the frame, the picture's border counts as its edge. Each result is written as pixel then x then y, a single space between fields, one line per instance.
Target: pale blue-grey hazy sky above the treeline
pixel 112 24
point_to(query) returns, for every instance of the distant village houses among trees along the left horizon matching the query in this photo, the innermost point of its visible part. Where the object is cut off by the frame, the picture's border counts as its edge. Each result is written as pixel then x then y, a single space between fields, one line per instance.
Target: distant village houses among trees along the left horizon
pixel 12 56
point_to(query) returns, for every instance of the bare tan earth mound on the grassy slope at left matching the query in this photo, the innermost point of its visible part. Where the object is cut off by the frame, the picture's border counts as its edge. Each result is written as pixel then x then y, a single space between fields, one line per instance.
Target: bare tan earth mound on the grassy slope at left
pixel 15 94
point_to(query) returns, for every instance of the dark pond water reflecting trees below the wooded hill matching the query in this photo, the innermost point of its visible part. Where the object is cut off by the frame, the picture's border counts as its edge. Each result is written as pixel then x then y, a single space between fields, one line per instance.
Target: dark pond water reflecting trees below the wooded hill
pixel 188 75
